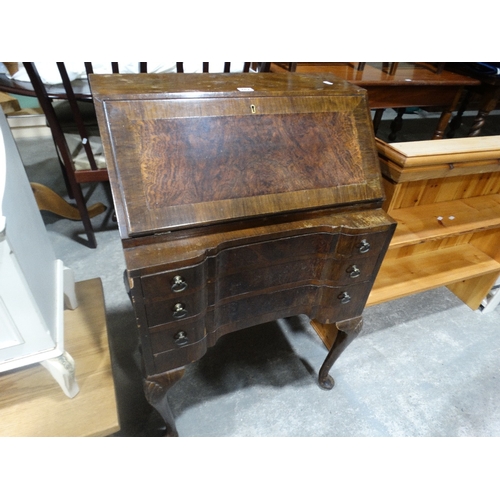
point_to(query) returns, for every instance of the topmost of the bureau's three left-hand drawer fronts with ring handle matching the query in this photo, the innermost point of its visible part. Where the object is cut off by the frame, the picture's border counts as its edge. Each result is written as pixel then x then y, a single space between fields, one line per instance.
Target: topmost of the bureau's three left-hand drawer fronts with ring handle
pixel 173 283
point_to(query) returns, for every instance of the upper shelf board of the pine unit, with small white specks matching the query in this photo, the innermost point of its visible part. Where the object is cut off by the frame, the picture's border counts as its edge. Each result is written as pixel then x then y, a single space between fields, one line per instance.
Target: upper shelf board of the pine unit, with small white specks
pixel 445 219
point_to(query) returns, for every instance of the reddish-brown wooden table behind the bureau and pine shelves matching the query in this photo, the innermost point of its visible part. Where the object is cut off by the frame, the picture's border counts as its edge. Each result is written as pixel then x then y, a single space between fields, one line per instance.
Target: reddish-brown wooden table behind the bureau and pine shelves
pixel 406 85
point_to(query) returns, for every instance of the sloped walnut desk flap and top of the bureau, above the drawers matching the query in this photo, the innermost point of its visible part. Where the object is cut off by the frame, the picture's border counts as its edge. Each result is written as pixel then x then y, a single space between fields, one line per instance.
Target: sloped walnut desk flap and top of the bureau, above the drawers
pixel 195 149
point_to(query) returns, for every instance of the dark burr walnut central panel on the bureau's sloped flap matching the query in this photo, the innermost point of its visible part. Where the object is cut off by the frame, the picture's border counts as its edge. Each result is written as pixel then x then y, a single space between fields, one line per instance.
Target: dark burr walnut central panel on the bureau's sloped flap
pixel 195 160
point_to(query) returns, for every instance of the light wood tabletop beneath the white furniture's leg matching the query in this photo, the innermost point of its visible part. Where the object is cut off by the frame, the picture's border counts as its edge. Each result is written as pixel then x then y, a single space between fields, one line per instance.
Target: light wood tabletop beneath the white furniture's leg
pixel 31 401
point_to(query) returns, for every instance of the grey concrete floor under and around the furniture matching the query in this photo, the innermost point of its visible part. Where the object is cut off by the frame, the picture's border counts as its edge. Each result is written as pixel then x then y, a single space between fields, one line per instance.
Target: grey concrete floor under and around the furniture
pixel 425 365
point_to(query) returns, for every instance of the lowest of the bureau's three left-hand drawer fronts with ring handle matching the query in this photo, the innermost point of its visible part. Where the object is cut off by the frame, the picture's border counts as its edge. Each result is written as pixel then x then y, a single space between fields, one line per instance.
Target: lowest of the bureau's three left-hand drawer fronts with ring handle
pixel 183 333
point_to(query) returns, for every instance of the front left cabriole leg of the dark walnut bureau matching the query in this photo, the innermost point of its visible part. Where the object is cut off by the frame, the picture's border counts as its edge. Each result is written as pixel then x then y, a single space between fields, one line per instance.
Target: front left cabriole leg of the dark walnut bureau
pixel 156 388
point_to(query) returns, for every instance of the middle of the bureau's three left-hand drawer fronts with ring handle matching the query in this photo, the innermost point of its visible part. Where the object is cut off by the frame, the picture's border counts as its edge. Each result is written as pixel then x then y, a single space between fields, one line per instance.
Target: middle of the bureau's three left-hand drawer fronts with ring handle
pixel 174 309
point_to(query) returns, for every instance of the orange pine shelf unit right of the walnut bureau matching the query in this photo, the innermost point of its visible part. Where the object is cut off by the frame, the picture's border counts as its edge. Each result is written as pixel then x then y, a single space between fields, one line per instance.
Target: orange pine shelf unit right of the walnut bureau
pixel 445 197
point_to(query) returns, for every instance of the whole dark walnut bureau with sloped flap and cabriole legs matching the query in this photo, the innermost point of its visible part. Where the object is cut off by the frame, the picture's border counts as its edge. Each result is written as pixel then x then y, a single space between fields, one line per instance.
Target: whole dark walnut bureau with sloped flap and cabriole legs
pixel 240 199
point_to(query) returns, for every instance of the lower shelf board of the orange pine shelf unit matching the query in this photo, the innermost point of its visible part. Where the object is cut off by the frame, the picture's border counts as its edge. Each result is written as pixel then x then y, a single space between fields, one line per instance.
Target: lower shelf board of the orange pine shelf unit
pixel 400 277
